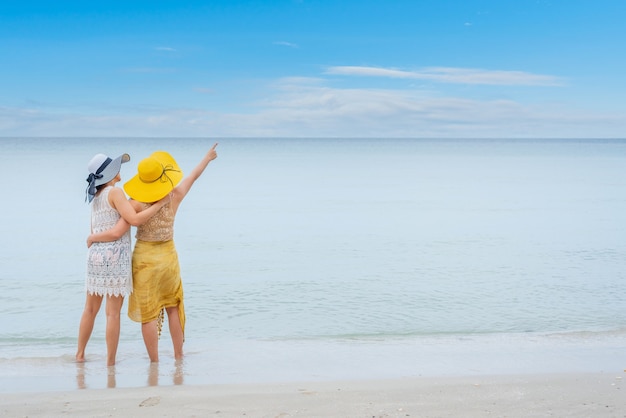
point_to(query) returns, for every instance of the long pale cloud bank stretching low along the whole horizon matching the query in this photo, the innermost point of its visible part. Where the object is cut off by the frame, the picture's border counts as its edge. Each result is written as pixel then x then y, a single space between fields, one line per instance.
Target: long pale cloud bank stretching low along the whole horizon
pixel 307 107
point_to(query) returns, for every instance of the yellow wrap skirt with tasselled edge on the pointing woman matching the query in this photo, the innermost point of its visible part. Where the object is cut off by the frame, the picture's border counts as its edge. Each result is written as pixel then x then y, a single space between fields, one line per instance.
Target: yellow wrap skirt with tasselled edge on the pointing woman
pixel 156 283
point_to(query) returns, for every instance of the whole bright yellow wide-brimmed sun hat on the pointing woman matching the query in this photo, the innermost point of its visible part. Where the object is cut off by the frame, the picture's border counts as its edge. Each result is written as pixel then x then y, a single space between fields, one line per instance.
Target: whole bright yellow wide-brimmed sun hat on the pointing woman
pixel 156 176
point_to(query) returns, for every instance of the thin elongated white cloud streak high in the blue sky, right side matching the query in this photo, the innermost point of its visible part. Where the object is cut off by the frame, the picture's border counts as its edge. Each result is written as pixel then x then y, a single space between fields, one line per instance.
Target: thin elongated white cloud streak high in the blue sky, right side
pixel 452 75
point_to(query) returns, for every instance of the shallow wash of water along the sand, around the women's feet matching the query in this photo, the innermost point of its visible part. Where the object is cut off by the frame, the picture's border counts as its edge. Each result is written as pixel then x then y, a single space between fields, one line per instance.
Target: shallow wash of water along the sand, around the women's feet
pixel 274 362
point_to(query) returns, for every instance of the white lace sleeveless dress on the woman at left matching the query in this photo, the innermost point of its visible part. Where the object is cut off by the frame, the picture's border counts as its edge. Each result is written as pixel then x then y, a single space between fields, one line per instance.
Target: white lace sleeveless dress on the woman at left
pixel 109 269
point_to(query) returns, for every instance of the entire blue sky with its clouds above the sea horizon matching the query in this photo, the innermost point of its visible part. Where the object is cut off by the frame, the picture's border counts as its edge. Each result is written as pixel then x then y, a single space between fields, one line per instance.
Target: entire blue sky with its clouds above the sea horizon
pixel 354 68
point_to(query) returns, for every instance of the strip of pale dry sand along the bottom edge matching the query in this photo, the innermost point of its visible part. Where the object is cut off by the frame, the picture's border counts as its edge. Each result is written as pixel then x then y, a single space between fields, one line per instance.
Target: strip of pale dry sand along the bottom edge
pixel 554 395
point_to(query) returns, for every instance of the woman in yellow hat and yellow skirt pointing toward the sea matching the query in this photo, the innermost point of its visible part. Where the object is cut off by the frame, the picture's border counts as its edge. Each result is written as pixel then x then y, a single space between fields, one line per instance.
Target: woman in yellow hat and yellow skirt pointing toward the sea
pixel 157 285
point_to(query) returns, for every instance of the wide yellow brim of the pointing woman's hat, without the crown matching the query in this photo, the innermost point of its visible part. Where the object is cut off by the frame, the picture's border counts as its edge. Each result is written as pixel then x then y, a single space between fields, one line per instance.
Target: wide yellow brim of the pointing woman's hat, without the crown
pixel 141 191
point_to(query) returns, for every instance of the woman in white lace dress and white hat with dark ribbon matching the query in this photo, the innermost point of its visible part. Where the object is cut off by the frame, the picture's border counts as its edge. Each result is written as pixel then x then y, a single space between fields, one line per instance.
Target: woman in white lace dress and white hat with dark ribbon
pixel 108 263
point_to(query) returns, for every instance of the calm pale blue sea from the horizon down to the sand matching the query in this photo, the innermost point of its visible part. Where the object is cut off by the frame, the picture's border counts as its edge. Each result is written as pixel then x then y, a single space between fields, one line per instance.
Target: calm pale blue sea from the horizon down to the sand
pixel 333 258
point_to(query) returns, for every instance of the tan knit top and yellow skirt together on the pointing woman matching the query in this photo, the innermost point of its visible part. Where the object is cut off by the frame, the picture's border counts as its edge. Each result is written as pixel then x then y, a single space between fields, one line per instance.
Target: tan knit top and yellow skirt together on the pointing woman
pixel 156 272
